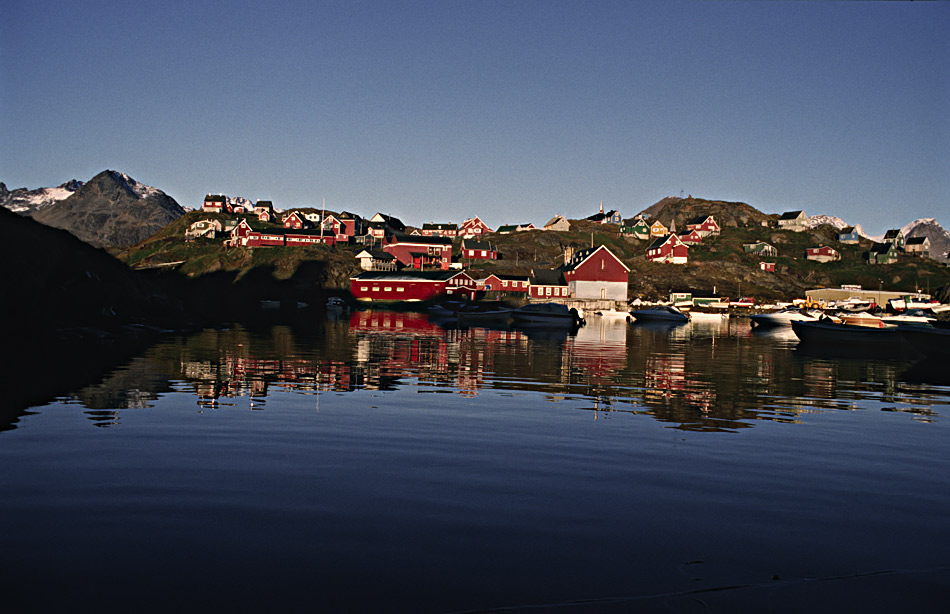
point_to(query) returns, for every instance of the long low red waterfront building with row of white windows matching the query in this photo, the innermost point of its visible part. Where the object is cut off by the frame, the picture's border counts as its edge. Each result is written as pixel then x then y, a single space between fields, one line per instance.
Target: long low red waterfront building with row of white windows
pixel 411 285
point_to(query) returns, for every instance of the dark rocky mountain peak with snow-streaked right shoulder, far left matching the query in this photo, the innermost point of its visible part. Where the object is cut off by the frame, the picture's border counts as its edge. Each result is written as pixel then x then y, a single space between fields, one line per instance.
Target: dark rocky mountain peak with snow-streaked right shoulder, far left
pixel 112 209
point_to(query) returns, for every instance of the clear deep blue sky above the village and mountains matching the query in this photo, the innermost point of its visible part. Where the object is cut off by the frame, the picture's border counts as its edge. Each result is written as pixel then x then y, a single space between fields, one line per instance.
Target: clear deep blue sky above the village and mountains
pixel 511 110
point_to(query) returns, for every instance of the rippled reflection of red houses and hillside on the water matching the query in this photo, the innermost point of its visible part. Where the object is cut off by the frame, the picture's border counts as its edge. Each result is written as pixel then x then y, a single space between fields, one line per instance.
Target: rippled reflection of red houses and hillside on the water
pixel 704 376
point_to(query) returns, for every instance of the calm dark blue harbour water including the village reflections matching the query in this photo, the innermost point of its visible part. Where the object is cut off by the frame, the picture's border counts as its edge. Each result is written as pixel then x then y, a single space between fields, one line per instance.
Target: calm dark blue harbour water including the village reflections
pixel 383 464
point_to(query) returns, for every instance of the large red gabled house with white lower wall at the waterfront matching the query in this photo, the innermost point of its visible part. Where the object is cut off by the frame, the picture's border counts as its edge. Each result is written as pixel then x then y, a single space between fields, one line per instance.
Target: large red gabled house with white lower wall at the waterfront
pixel 596 273
